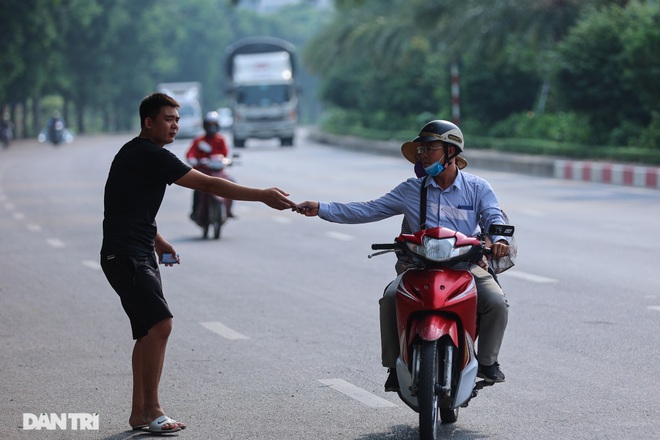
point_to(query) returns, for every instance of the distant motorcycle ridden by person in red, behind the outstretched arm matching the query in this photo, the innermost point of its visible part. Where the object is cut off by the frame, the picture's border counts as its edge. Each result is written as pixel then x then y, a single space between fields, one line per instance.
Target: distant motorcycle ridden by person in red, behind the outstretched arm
pixel 212 211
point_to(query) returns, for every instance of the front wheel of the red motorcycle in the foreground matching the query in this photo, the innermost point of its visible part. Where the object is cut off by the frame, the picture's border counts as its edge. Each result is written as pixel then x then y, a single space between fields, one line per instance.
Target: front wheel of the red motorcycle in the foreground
pixel 427 395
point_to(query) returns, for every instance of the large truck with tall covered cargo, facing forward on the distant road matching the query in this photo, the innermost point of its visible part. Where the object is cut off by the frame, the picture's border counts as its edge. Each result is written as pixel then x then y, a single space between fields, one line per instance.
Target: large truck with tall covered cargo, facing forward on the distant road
pixel 262 89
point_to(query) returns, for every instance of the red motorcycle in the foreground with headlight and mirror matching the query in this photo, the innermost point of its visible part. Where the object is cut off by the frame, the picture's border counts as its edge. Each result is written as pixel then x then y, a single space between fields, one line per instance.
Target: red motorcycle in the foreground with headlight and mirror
pixel 436 307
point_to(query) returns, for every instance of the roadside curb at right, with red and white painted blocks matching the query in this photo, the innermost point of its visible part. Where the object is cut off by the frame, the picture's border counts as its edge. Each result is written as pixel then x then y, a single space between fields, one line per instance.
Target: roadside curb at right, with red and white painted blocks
pixel 542 166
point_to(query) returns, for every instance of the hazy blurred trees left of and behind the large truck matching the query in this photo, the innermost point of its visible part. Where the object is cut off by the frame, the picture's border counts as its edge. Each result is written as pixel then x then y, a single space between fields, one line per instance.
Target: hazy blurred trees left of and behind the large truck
pixel 98 58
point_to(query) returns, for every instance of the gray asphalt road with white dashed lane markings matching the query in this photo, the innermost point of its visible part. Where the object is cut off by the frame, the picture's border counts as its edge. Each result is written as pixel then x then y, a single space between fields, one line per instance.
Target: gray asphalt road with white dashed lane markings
pixel 276 324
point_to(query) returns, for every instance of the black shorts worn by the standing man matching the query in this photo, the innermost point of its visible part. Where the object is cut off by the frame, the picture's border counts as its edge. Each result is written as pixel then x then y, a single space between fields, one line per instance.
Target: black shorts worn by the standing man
pixel 136 279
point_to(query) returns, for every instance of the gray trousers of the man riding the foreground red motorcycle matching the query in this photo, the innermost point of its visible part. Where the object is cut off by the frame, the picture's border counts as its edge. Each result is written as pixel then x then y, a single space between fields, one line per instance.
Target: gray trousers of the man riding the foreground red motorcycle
pixel 492 317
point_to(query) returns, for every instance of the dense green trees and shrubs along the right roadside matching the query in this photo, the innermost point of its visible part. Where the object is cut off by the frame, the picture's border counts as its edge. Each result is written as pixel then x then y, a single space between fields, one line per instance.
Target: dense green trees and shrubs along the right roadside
pixel 566 70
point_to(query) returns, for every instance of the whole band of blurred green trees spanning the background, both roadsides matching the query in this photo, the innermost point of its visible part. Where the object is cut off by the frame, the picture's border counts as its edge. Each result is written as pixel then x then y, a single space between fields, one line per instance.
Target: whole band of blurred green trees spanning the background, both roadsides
pixel 563 71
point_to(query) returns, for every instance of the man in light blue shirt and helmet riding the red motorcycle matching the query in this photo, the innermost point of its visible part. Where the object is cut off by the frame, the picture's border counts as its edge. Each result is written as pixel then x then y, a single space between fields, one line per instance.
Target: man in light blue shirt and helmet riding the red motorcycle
pixel 455 199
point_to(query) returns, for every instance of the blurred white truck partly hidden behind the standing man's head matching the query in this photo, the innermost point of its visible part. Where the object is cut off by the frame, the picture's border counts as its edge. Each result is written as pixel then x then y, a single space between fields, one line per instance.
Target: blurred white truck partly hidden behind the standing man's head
pixel 188 95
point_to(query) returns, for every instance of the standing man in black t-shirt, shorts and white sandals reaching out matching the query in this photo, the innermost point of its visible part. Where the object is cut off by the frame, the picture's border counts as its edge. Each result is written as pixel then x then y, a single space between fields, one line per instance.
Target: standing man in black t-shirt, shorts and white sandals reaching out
pixel 134 191
